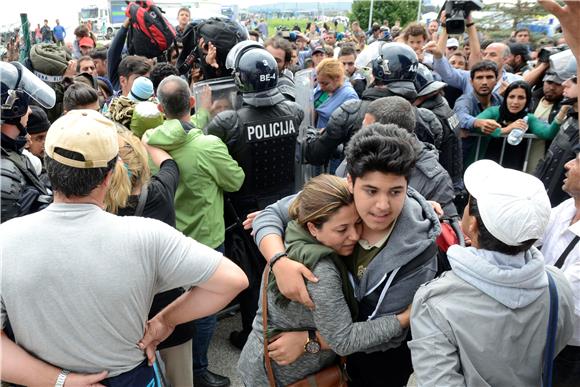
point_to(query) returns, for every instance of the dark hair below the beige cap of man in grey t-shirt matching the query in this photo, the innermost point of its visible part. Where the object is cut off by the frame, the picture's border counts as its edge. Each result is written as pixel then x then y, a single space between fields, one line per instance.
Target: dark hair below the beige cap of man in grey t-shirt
pixel 71 181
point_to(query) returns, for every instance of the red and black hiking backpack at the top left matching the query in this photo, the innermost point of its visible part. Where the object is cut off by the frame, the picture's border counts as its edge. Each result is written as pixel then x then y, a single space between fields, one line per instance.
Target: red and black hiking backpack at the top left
pixel 150 34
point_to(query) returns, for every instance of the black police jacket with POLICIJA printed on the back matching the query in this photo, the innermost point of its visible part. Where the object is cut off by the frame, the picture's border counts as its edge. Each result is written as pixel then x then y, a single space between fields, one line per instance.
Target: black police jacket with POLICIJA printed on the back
pixel 262 139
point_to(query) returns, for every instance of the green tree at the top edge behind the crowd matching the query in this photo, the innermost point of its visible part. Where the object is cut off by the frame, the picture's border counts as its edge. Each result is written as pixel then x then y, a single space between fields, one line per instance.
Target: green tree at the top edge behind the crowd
pixel 391 10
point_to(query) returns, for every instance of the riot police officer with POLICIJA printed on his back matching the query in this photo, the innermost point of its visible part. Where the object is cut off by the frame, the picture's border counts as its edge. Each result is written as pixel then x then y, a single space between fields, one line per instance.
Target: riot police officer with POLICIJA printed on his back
pixel 261 136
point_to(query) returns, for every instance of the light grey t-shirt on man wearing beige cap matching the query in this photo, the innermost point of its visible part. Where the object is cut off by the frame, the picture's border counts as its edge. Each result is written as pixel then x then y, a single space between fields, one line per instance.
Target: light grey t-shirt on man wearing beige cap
pixel 78 282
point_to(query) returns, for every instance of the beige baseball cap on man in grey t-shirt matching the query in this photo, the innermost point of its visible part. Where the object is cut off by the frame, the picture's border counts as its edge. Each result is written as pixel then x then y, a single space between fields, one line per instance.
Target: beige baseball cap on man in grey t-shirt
pixel 86 132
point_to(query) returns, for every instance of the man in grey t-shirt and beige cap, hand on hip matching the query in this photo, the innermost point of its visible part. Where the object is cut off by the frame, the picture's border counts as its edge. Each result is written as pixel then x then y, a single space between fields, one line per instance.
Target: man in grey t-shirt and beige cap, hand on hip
pixel 78 298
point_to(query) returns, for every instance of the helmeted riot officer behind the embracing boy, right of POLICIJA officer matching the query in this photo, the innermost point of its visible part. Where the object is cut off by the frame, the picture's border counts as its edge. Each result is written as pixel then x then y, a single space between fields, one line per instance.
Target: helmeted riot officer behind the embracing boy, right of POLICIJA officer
pixel 394 69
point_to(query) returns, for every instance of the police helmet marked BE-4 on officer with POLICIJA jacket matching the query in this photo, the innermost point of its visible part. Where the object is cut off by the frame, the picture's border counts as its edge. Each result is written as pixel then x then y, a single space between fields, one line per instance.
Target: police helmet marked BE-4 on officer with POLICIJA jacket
pixel 254 68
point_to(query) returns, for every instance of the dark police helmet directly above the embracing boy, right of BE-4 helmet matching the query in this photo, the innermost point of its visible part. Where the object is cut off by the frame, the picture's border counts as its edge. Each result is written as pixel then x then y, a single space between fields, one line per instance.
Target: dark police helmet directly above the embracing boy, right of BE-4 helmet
pixel 396 62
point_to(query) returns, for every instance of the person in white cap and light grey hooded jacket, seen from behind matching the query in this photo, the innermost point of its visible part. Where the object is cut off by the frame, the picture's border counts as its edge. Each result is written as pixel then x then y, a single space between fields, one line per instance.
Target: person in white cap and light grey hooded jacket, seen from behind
pixel 499 285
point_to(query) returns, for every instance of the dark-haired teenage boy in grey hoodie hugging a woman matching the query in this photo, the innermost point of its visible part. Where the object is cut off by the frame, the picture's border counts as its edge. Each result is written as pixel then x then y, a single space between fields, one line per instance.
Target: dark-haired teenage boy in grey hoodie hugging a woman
pixel 395 255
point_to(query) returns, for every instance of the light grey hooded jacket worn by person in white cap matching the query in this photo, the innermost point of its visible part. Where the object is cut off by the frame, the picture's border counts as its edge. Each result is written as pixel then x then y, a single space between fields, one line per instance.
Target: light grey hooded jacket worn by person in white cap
pixel 485 322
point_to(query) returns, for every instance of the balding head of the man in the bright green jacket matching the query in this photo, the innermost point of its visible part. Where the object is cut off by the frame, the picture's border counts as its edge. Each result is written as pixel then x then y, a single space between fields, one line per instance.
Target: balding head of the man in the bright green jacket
pixel 174 97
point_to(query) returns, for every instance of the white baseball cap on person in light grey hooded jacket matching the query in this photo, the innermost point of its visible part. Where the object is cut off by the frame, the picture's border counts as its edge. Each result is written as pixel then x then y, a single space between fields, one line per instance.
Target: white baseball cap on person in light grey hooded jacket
pixel 513 205
